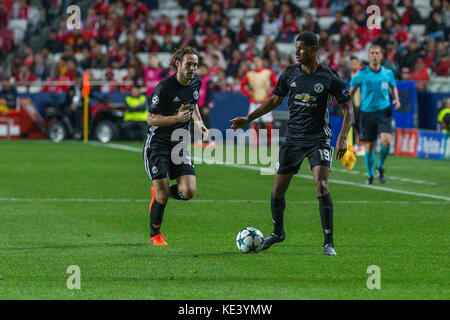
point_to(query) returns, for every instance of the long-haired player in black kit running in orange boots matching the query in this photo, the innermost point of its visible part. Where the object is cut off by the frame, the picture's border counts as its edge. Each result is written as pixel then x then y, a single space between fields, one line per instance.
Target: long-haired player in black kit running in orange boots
pixel 170 107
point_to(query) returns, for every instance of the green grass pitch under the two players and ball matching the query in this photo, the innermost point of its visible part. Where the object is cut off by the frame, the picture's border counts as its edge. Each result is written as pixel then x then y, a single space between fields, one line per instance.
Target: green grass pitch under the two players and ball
pixel 87 205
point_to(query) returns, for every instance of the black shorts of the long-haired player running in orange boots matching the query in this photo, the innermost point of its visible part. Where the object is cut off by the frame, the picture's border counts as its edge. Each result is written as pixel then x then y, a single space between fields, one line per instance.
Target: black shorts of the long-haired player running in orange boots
pixel 158 163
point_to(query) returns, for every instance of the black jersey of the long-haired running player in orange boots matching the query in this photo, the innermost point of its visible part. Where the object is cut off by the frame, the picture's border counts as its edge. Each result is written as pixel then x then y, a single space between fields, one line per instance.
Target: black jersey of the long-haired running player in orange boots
pixel 166 100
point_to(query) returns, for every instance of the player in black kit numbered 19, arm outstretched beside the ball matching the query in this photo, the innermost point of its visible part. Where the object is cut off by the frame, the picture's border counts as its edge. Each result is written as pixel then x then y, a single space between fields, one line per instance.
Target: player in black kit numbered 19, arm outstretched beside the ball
pixel 308 86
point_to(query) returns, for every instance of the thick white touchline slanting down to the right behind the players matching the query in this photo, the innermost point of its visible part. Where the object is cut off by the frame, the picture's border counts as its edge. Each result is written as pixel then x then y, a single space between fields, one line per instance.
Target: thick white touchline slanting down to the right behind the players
pixel 251 167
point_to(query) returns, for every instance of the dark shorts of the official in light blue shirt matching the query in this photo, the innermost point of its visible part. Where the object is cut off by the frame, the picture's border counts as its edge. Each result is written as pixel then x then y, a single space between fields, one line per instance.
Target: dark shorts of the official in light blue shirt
pixel 373 123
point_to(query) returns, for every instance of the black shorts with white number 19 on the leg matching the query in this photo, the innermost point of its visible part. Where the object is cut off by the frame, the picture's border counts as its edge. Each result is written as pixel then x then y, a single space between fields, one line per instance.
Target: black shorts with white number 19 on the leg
pixel 292 154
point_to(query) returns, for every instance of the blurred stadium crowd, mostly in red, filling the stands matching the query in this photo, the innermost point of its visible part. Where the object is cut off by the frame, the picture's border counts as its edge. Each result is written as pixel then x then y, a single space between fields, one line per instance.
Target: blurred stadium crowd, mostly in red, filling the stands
pixel 113 32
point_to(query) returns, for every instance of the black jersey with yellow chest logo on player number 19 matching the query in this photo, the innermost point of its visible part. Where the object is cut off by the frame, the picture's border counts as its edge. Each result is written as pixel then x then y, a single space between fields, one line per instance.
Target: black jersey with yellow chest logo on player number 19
pixel 309 96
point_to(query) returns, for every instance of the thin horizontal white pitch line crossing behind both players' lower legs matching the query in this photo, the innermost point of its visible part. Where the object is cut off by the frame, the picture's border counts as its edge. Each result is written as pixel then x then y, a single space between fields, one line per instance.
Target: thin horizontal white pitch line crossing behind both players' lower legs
pixel 217 201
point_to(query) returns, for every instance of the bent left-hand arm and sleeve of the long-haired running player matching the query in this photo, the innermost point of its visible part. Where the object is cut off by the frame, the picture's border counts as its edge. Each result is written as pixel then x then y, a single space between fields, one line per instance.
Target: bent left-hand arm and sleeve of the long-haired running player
pixel 155 118
